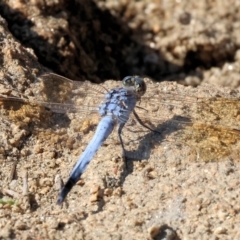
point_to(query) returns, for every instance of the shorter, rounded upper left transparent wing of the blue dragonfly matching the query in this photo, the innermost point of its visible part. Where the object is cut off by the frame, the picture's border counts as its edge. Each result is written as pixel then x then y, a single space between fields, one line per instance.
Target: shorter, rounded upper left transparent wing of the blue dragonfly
pixel 64 95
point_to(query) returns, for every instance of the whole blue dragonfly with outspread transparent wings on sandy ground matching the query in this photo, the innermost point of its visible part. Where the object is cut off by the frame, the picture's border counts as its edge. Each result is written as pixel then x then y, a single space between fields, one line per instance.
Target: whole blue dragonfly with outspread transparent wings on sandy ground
pixel 209 125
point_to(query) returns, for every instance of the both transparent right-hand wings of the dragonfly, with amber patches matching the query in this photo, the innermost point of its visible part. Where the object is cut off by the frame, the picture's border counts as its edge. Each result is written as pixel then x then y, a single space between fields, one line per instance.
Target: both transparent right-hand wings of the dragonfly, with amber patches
pixel 210 125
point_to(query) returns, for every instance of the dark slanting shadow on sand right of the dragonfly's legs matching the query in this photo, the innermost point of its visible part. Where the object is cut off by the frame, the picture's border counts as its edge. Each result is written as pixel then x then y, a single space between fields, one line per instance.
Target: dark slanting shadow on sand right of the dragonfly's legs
pixel 151 140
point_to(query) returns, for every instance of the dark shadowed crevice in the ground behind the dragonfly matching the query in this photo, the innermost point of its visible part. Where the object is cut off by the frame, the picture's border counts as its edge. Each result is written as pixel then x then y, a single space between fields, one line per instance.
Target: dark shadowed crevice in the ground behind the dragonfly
pixel 80 41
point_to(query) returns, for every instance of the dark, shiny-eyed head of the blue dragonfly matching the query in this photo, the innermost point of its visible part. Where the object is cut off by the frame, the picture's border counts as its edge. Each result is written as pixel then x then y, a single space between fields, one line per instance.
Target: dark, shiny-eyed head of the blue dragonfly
pixel 135 83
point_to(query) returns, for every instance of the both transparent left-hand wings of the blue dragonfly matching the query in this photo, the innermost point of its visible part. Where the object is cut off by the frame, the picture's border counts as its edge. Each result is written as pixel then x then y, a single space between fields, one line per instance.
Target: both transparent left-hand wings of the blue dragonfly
pixel 58 94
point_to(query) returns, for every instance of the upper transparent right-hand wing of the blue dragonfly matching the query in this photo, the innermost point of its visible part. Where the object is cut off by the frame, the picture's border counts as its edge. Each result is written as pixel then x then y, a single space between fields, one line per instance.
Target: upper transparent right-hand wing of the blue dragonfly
pixel 167 102
